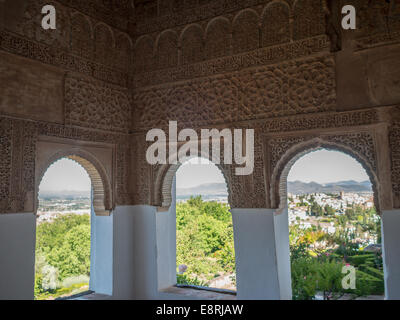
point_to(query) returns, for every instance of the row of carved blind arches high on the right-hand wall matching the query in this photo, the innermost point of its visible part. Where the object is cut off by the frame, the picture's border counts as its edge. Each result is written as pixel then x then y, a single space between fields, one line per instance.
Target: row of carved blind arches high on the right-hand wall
pixel 243 31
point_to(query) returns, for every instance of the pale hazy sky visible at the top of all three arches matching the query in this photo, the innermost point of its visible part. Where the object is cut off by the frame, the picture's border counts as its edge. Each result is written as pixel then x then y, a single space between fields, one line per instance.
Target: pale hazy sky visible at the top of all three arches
pixel 321 166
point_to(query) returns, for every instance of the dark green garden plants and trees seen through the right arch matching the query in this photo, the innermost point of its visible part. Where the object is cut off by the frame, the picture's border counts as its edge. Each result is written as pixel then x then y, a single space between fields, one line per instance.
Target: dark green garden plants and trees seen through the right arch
pixel 318 258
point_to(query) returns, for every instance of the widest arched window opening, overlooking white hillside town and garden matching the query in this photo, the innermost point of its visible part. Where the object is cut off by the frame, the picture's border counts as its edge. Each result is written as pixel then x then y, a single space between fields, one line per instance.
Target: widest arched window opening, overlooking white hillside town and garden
pixel 334 228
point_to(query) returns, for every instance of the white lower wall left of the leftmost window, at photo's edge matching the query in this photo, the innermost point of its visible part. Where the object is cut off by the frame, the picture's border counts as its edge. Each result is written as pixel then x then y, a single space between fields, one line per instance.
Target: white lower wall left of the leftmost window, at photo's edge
pixel 17 251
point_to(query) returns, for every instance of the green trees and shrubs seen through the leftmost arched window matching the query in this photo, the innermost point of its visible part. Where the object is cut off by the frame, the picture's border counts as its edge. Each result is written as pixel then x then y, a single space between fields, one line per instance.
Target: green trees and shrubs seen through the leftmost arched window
pixel 62 256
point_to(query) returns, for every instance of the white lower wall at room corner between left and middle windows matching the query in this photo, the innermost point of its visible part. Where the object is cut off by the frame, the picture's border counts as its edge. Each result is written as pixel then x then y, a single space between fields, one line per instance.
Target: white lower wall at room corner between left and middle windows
pixel 135 267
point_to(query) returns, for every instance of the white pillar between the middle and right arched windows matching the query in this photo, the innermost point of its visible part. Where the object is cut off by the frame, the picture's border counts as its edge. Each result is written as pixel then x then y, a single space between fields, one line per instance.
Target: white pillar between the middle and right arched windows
pixel 262 254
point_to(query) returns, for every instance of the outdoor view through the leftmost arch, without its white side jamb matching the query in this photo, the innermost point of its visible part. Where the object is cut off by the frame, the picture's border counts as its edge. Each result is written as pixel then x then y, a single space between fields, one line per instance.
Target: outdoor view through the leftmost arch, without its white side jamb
pixel 63 233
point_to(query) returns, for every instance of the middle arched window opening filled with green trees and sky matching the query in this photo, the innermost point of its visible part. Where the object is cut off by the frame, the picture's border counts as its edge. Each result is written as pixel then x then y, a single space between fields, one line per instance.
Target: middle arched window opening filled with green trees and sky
pixel 204 238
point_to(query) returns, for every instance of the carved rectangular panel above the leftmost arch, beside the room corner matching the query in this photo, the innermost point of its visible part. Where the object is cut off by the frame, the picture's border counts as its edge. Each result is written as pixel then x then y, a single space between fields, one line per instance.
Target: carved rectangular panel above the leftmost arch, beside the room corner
pixel 96 104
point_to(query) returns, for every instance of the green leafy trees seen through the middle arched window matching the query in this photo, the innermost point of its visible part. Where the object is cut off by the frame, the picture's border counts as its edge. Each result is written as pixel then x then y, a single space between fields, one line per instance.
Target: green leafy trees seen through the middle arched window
pixel 204 241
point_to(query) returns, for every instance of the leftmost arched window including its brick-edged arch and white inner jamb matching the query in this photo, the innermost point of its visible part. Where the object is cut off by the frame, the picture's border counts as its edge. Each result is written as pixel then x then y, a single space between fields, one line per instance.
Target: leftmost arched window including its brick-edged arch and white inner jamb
pixel 74 228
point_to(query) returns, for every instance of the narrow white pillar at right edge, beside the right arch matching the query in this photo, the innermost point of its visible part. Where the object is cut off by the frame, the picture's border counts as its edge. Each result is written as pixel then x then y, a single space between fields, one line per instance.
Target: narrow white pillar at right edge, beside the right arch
pixel 391 253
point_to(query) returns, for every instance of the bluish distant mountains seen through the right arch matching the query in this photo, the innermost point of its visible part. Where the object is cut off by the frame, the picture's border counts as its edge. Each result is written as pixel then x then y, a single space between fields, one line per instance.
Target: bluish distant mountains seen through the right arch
pixel 298 187
